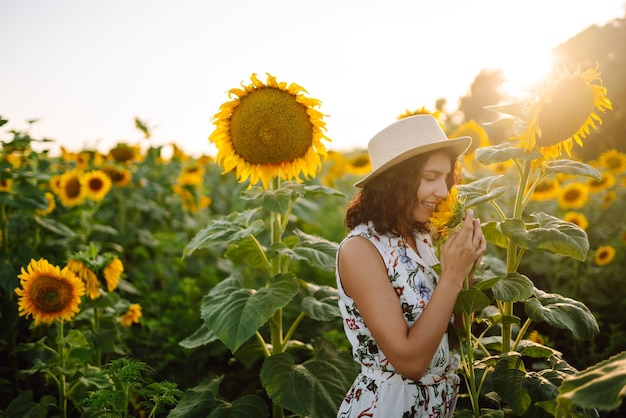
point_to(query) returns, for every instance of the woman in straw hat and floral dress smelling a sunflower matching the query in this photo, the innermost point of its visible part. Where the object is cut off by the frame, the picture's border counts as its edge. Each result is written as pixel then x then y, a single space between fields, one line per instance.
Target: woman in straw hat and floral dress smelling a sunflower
pixel 396 308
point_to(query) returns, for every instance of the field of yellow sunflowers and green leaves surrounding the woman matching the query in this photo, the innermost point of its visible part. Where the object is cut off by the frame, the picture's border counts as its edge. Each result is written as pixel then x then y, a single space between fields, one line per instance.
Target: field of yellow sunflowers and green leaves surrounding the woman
pixel 150 283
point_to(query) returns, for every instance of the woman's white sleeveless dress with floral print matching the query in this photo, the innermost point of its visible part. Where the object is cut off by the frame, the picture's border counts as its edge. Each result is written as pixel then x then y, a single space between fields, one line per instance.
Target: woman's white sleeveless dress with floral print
pixel 378 390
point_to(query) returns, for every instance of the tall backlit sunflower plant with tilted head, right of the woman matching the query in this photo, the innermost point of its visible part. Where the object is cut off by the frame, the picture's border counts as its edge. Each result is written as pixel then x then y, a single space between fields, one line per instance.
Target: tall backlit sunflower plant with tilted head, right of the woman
pixel 506 373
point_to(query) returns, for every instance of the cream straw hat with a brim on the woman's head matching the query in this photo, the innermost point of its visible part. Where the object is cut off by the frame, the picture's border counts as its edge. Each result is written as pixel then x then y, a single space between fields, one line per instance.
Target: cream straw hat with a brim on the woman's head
pixel 407 138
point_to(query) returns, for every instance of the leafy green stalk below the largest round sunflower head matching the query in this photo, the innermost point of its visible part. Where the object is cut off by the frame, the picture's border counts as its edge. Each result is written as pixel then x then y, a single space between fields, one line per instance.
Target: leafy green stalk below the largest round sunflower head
pixel 269 303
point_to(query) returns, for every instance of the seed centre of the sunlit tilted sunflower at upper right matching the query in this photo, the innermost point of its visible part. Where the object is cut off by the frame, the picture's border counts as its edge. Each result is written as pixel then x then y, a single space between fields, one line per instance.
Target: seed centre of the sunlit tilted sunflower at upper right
pixel 566 113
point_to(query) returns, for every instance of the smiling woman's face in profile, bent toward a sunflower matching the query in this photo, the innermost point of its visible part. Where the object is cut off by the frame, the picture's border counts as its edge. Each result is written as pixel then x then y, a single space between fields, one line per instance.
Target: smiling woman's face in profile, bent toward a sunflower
pixel 433 187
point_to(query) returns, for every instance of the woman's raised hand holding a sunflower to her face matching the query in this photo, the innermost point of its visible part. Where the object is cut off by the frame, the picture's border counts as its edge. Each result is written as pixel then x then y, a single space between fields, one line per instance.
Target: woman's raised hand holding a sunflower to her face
pixel 463 250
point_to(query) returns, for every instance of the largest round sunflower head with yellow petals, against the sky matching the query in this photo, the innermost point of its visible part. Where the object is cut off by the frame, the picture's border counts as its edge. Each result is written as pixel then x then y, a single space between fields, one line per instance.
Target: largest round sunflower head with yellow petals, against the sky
pixel 269 130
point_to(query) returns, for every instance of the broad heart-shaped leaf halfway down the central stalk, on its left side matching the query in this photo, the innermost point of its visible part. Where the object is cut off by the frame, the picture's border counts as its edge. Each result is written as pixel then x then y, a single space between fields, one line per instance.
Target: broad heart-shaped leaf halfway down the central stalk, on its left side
pixel 235 313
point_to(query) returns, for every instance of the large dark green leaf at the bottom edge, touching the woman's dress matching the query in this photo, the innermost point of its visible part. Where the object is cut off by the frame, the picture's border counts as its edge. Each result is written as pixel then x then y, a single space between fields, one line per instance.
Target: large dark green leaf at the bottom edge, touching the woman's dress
pixel 314 388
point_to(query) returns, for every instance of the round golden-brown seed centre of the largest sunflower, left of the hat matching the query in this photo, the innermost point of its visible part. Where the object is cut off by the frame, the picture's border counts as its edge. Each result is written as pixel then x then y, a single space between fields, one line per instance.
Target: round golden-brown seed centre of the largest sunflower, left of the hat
pixel 269 126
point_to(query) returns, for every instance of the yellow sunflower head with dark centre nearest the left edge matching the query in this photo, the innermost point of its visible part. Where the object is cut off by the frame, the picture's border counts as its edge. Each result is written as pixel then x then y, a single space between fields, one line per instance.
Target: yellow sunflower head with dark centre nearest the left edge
pixel 48 293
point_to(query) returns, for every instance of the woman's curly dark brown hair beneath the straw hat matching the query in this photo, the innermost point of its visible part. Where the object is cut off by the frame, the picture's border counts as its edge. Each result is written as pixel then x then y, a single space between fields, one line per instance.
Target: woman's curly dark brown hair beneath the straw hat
pixel 388 200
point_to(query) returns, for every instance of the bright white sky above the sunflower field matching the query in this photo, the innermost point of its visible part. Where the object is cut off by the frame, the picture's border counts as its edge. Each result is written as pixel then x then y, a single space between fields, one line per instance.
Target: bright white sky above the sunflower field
pixel 85 69
